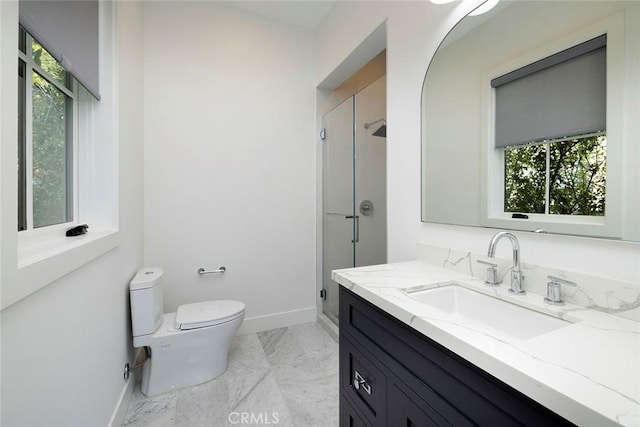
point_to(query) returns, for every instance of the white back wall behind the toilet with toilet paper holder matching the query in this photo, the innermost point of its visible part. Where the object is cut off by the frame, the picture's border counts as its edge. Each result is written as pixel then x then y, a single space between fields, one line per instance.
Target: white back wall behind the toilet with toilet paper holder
pixel 230 160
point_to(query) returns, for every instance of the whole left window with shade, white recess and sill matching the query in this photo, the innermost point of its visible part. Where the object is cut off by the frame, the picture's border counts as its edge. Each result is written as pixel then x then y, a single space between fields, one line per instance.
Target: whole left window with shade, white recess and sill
pixel 67 141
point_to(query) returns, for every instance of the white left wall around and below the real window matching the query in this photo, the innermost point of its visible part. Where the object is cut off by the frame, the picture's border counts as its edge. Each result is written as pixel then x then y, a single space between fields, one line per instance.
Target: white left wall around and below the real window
pixel 64 347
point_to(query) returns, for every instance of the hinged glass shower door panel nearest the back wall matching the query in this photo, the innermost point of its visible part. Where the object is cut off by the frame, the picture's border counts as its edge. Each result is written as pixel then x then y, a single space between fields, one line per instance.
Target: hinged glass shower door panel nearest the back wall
pixel 338 218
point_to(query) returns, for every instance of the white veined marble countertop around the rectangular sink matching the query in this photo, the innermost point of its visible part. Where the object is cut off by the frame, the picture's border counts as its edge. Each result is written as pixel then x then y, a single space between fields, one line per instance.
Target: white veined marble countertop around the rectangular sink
pixel 588 372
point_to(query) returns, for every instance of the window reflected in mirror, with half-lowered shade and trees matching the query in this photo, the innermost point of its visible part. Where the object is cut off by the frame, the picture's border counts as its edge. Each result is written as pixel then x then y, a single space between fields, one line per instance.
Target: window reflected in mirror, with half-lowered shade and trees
pixel 550 130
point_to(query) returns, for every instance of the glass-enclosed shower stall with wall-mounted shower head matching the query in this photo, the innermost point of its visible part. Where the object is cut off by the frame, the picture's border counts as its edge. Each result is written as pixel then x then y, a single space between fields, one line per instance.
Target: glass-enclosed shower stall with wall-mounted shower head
pixel 354 187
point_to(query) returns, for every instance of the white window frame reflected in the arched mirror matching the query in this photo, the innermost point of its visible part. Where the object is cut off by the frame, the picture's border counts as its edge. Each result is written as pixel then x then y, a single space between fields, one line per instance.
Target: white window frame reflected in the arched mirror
pixel 492 160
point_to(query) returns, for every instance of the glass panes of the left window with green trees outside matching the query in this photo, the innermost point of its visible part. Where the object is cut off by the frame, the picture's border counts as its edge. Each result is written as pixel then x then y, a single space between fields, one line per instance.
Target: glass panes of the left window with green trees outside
pixel 47 138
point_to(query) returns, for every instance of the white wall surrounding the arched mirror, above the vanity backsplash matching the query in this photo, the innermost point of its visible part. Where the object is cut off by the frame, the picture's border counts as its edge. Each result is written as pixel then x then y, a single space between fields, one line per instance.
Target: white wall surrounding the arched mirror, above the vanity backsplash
pixel 414 31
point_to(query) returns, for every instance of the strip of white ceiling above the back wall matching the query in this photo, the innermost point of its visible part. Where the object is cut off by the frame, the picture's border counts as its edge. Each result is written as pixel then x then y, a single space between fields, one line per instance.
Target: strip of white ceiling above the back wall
pixel 305 13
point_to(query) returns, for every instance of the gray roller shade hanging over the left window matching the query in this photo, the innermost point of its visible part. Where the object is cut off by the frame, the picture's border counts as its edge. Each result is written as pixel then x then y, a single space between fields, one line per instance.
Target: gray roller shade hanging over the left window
pixel 69 31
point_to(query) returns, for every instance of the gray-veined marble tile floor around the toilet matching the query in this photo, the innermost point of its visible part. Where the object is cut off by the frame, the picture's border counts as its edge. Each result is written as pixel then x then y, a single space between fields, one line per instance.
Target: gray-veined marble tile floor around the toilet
pixel 283 377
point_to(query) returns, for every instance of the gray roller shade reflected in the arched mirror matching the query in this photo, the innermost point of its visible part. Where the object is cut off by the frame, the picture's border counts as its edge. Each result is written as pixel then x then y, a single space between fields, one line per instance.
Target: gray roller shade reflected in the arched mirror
pixel 562 95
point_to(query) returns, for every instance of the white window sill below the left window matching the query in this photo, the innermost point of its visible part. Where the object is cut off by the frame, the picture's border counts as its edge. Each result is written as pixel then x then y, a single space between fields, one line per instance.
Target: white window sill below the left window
pixel 42 264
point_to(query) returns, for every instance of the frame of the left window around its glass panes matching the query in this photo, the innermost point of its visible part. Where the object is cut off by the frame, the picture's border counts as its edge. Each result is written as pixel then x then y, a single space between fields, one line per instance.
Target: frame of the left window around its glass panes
pixel 30 234
